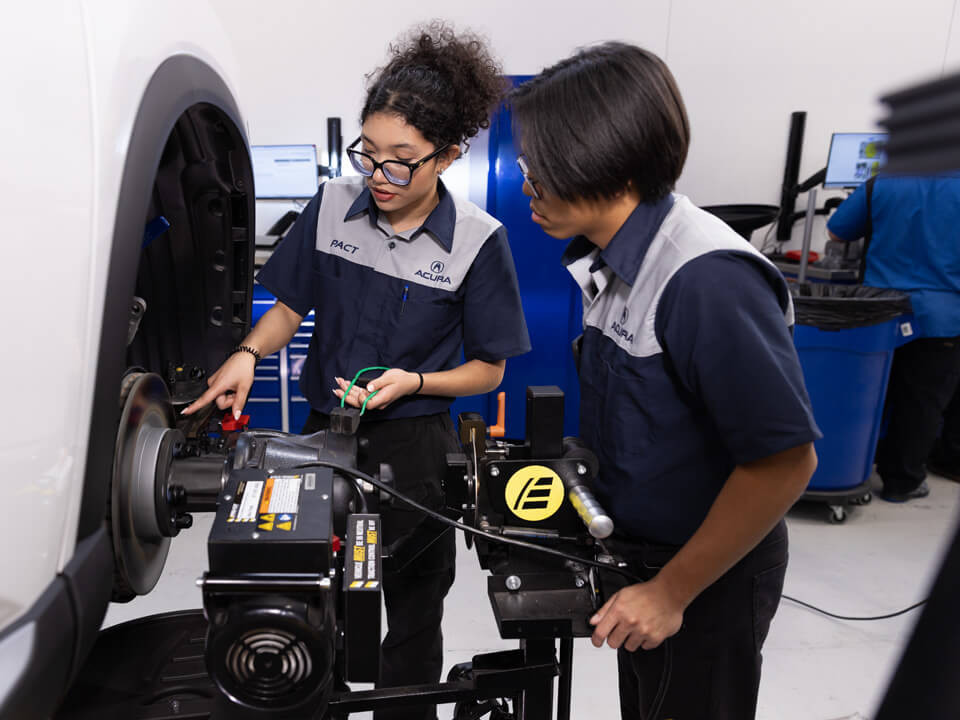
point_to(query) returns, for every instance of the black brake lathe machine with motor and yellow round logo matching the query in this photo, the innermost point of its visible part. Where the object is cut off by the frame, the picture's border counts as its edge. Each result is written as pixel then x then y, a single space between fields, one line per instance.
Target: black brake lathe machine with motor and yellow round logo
pixel 292 597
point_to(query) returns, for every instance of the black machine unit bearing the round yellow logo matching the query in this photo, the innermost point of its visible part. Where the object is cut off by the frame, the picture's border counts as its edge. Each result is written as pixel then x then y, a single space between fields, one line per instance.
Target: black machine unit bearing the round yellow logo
pixel 530 490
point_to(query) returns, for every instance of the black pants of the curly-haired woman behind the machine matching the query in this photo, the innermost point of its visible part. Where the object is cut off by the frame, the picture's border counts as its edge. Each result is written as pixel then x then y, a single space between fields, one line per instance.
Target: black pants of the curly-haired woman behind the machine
pixel 416 449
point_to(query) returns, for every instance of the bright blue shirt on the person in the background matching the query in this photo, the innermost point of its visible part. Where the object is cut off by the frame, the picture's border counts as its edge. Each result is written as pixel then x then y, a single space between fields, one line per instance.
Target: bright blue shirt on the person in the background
pixel 915 244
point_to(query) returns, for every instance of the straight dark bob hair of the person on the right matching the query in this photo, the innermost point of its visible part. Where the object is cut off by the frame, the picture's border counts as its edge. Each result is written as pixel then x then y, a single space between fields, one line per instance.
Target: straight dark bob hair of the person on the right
pixel 607 117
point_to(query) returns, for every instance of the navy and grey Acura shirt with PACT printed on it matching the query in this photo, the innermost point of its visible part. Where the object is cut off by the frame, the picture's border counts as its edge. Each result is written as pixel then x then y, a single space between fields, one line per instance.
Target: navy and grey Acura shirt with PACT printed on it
pixel 409 300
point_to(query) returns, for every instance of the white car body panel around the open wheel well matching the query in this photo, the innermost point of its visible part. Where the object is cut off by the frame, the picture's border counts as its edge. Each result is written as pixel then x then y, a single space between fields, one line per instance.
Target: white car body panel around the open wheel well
pixel 75 80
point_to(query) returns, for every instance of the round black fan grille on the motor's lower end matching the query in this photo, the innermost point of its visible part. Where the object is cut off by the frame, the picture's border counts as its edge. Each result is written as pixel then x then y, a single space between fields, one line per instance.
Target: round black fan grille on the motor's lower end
pixel 268 664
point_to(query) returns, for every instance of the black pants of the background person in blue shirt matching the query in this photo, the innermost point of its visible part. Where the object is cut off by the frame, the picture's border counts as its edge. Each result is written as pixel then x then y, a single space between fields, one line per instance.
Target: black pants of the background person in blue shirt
pixel 923 380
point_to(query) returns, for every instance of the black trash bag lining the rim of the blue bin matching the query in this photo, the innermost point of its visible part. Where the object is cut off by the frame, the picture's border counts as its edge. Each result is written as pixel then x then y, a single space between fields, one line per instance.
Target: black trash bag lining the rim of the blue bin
pixel 840 307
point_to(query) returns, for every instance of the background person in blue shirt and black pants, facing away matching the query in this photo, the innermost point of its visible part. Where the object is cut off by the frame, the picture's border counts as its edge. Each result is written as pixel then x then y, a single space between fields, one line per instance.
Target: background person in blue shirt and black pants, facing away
pixel 912 243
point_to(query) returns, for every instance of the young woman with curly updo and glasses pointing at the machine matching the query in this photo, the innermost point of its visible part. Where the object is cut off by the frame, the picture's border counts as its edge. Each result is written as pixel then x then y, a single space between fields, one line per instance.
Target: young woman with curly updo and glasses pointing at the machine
pixel 405 276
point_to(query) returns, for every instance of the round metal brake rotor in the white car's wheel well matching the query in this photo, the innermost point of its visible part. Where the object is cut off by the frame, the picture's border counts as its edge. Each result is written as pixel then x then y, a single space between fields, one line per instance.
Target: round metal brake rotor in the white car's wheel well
pixel 140 548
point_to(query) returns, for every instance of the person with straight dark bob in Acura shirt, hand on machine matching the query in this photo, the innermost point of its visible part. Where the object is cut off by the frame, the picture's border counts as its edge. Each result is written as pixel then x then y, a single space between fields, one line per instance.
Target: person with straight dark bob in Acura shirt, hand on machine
pixel 691 391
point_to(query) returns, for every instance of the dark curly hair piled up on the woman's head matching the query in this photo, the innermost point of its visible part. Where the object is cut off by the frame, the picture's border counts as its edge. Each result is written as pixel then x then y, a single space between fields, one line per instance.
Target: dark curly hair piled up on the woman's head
pixel 445 84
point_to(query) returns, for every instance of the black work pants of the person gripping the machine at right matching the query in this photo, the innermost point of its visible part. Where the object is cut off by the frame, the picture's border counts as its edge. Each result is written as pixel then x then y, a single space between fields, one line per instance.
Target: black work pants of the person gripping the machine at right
pixel 715 658
